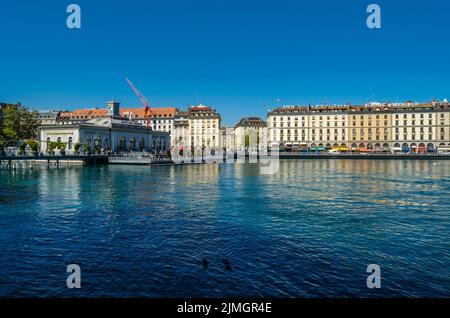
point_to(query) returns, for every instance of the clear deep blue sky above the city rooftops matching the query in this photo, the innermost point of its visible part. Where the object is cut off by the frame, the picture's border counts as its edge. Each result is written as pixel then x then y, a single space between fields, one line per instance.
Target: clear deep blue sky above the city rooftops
pixel 235 55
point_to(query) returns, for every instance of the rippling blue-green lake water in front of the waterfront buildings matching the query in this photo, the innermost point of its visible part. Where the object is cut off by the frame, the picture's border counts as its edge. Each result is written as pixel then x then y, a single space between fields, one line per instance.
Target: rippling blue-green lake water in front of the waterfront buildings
pixel 309 230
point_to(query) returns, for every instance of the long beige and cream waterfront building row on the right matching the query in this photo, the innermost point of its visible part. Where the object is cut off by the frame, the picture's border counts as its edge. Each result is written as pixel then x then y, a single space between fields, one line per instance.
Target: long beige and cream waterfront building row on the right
pixel 373 127
